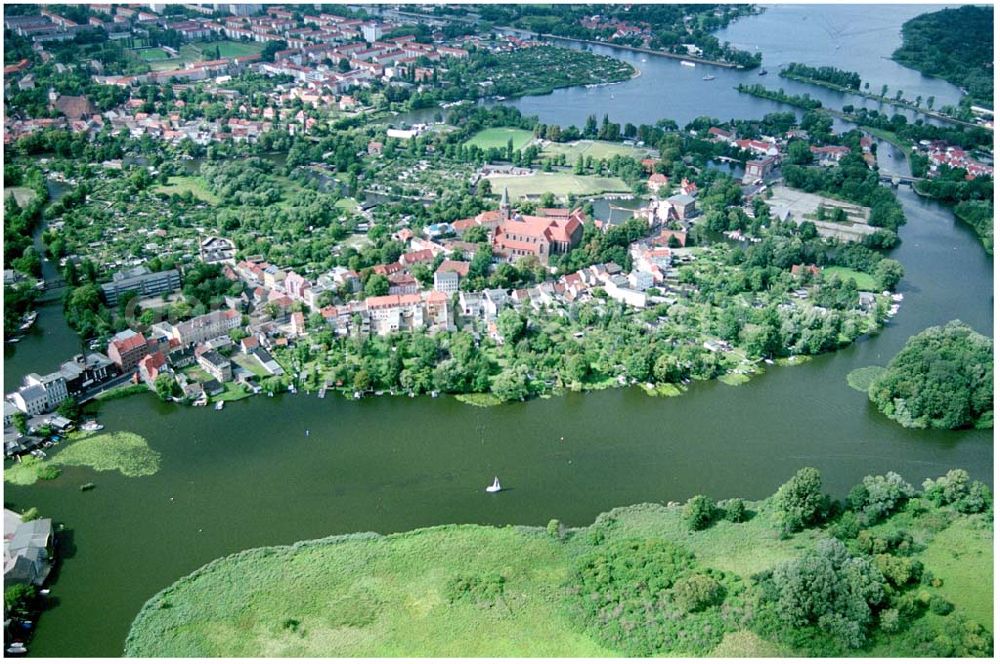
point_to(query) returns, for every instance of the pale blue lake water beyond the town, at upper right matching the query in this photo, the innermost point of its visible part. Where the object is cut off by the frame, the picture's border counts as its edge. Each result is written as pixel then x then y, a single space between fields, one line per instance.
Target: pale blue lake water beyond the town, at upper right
pixel 837 35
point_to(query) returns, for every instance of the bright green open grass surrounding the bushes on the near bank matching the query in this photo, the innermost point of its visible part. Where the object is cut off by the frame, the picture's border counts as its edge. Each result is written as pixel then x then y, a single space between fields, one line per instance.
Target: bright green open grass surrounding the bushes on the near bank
pixel 367 595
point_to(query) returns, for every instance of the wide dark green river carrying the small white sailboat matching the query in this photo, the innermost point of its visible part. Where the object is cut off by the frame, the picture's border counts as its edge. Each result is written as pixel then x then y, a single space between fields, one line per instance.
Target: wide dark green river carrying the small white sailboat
pixel 248 476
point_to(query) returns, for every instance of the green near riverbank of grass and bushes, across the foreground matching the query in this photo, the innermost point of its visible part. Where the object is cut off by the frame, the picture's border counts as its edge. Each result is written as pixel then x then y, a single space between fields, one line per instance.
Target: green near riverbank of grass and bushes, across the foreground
pixel 467 590
